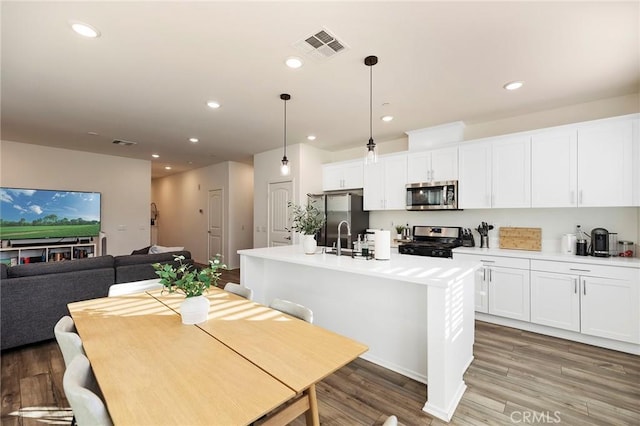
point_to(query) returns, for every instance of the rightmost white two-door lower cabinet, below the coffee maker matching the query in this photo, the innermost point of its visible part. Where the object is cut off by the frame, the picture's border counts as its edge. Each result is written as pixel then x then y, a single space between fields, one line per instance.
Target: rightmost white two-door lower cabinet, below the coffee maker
pixel 599 301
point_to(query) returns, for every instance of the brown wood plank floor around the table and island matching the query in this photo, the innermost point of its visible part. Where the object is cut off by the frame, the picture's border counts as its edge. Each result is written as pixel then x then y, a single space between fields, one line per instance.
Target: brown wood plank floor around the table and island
pixel 517 377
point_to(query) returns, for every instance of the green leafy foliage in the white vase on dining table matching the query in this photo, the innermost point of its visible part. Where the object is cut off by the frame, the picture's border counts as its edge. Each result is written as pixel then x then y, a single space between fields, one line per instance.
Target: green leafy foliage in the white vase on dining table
pixel 185 278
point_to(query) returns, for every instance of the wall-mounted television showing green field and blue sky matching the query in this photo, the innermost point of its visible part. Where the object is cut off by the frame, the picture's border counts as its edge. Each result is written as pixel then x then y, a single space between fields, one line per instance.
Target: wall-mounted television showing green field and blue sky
pixel 39 213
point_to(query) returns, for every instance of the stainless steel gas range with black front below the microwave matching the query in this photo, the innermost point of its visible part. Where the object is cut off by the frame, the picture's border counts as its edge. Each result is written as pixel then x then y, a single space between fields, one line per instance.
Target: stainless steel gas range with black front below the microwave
pixel 433 241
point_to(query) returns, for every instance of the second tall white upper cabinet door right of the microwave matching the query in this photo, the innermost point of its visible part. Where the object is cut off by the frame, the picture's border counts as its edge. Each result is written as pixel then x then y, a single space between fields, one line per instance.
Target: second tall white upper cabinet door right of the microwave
pixel 511 172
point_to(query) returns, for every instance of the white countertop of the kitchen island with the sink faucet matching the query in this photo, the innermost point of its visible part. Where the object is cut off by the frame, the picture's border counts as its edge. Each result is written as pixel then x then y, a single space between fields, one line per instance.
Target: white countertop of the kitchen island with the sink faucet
pixel 416 269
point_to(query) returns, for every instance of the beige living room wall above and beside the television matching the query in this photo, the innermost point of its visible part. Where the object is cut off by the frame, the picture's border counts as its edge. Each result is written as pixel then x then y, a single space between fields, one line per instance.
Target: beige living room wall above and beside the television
pixel 123 182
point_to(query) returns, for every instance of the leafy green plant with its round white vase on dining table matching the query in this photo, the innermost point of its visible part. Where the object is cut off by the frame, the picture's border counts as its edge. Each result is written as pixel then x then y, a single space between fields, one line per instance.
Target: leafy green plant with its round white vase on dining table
pixel 192 282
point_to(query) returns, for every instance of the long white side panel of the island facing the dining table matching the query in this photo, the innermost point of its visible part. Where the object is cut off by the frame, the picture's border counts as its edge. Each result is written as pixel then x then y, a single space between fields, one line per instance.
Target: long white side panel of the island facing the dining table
pixel 387 315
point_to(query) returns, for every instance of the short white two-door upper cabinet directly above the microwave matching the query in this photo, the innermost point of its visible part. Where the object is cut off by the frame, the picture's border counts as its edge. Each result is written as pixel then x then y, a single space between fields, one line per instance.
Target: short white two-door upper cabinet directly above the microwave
pixel 432 166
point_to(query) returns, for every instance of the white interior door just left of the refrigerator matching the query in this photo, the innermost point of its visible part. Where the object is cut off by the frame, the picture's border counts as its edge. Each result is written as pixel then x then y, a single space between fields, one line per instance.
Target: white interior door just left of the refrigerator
pixel 280 193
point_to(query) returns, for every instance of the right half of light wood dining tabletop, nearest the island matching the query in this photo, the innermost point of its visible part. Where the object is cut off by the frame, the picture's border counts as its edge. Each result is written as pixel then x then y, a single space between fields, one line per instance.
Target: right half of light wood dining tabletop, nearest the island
pixel 295 352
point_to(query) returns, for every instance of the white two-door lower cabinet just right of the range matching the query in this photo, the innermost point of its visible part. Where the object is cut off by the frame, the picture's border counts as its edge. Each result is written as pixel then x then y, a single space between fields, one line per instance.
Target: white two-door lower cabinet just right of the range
pixel 502 287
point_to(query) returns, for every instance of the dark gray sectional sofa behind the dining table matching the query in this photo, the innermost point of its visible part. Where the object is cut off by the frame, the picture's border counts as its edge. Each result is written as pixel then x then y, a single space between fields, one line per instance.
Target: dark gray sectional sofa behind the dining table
pixel 34 297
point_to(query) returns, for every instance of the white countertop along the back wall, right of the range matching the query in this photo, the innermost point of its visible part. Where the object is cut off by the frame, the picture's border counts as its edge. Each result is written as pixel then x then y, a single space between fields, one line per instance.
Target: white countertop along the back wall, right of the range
pixel 628 262
